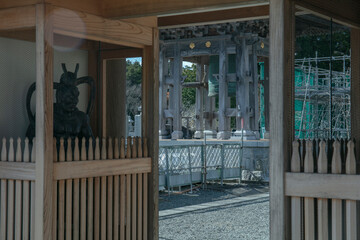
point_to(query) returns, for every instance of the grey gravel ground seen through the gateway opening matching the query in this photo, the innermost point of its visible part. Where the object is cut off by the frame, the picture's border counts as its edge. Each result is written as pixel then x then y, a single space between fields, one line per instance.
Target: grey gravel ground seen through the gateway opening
pixel 246 220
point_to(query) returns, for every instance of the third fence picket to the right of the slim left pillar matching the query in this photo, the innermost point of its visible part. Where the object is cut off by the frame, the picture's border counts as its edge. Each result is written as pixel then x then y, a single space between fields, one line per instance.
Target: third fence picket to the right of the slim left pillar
pixel 69 198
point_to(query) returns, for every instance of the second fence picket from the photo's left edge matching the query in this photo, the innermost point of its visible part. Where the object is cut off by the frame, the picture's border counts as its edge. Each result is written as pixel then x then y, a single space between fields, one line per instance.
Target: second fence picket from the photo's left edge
pixel 11 196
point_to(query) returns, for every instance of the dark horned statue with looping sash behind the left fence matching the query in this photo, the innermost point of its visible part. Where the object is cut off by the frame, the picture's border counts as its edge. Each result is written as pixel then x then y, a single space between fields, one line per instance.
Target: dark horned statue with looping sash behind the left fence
pixel 69 121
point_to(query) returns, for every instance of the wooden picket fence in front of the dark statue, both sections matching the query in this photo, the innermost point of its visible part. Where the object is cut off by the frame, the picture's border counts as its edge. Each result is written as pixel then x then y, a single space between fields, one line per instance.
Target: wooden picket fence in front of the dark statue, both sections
pixel 99 192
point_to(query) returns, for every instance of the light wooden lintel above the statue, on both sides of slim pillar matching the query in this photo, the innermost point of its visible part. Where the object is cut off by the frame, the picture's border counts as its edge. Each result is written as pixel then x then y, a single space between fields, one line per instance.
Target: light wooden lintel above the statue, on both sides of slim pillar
pixel 78 24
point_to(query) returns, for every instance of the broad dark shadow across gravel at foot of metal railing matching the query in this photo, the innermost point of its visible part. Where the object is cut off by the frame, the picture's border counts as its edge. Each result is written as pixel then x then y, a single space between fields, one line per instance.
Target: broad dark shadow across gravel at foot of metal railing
pixel 213 192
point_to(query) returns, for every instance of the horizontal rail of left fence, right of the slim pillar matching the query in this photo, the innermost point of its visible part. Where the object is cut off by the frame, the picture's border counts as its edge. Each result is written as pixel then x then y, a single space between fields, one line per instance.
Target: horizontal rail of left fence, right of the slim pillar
pixel 100 168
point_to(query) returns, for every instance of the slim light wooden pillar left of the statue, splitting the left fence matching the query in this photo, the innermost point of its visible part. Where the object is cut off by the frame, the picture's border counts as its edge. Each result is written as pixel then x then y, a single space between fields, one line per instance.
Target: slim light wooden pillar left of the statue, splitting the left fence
pixel 44 123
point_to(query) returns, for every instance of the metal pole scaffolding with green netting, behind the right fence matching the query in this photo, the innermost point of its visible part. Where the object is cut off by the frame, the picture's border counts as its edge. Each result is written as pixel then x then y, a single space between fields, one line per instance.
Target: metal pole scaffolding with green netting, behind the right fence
pixel 322 97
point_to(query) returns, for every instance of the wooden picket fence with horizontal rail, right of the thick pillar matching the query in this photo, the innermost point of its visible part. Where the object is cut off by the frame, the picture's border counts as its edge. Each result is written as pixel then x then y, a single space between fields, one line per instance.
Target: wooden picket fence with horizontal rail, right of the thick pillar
pixel 323 189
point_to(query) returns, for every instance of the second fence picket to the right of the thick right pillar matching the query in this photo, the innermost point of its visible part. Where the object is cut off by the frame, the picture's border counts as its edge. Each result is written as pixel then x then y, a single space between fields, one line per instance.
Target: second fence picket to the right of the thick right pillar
pixel 309 208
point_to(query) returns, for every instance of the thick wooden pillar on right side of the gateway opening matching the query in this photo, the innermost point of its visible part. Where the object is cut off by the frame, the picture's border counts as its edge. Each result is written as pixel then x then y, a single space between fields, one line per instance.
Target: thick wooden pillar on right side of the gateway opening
pixel 282 39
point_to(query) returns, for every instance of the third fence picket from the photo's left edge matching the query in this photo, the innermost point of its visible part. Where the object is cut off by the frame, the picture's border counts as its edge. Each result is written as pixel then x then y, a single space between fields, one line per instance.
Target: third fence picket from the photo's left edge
pixel 18 194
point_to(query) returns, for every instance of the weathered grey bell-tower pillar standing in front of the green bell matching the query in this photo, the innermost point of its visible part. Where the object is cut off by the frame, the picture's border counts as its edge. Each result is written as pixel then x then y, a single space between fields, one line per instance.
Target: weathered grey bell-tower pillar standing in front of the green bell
pixel 224 132
